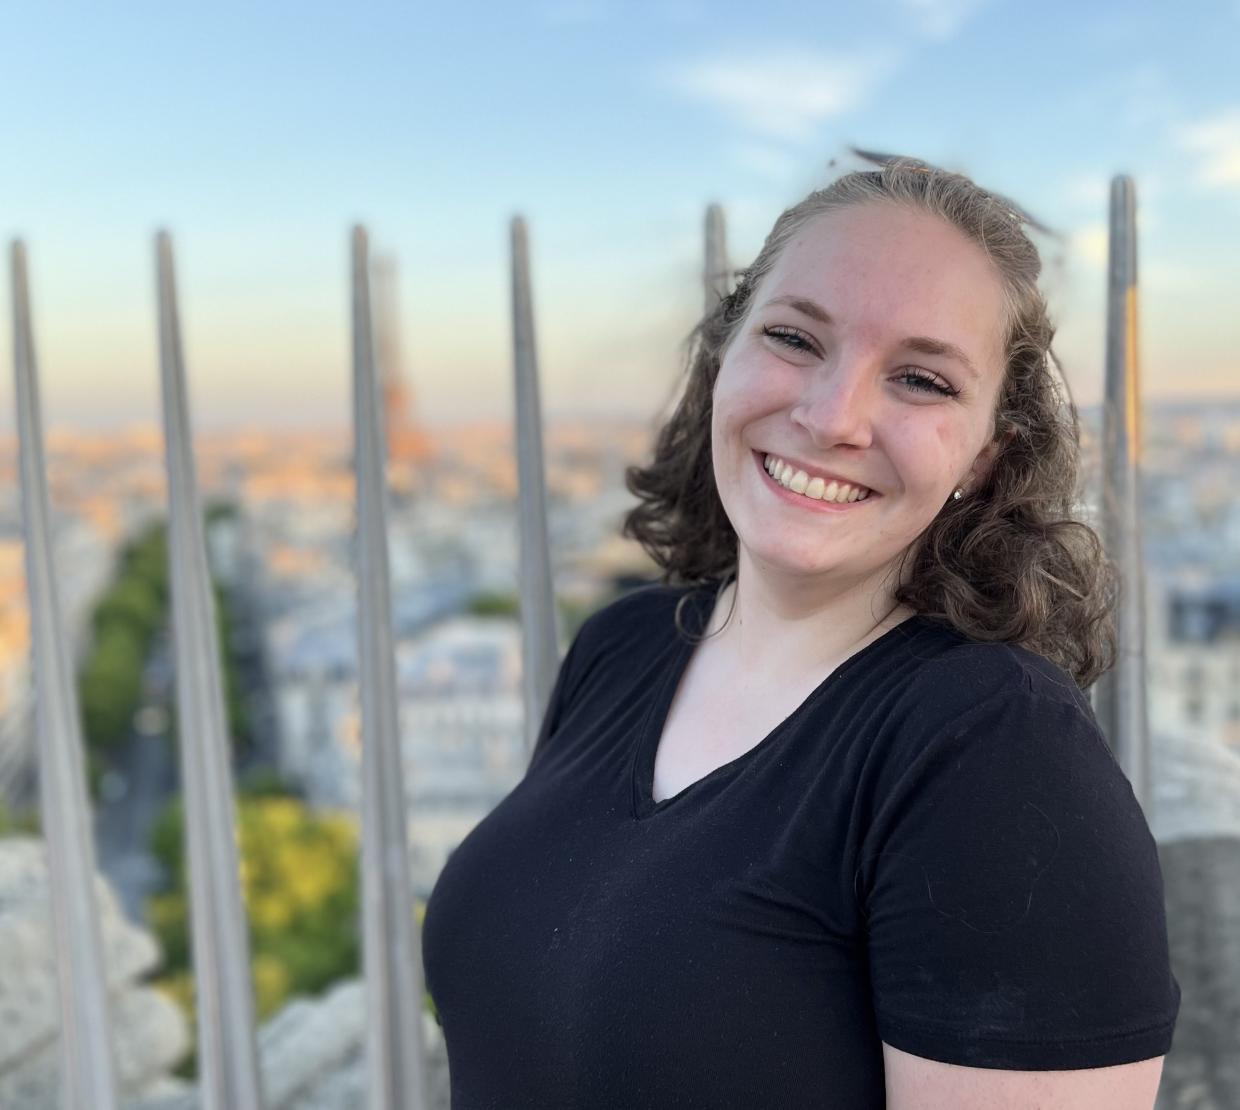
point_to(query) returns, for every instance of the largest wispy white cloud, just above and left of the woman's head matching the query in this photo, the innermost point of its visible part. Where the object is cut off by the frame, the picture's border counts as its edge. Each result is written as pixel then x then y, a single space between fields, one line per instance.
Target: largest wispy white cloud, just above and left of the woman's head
pixel 783 95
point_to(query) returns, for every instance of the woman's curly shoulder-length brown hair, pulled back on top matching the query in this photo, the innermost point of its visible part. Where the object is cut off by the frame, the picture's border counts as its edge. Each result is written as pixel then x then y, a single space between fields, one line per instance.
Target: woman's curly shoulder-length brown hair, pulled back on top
pixel 1011 562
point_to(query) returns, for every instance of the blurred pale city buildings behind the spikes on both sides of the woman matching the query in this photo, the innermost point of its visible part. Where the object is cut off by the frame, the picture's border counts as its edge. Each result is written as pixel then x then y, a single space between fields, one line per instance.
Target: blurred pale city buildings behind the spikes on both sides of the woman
pixel 283 555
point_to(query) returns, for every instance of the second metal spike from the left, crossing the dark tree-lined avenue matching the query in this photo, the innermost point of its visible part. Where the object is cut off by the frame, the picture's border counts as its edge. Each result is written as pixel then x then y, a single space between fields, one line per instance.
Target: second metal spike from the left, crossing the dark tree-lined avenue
pixel 228 1055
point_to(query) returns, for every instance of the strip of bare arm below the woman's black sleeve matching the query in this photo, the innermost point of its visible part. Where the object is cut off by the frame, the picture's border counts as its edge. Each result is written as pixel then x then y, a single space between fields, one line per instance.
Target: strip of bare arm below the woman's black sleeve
pixel 914 1083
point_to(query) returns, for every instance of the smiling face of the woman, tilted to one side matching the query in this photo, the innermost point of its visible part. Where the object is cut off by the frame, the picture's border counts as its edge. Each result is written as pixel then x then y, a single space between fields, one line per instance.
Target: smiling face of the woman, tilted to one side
pixel 872 353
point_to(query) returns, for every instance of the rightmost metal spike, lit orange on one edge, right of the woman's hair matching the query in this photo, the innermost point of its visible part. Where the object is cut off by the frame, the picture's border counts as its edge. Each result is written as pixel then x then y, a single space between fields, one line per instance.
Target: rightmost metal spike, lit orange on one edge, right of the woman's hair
pixel 1120 695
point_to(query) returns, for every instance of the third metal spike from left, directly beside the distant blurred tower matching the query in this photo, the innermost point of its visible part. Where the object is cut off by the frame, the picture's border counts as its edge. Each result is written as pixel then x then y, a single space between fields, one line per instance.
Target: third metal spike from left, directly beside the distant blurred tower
pixel 395 1047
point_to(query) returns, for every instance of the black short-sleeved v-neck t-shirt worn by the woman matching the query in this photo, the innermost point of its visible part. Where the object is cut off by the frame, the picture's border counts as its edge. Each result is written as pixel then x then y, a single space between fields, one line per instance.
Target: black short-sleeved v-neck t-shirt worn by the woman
pixel 937 849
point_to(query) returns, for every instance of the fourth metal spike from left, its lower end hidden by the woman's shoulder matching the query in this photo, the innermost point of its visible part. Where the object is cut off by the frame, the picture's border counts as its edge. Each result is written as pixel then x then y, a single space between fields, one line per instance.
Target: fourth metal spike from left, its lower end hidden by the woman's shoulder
pixel 540 619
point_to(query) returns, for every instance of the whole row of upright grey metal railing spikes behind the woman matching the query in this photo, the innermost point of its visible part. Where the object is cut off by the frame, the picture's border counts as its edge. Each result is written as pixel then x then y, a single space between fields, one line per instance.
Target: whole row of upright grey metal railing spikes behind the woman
pixel 396 1070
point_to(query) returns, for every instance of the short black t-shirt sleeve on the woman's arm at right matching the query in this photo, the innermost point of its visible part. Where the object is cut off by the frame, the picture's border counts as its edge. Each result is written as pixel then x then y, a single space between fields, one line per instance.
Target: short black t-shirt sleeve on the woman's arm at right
pixel 1014 897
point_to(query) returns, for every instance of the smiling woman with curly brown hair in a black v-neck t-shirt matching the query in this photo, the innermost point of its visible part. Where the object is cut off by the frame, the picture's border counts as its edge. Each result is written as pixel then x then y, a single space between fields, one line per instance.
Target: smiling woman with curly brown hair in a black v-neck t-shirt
pixel 826 819
